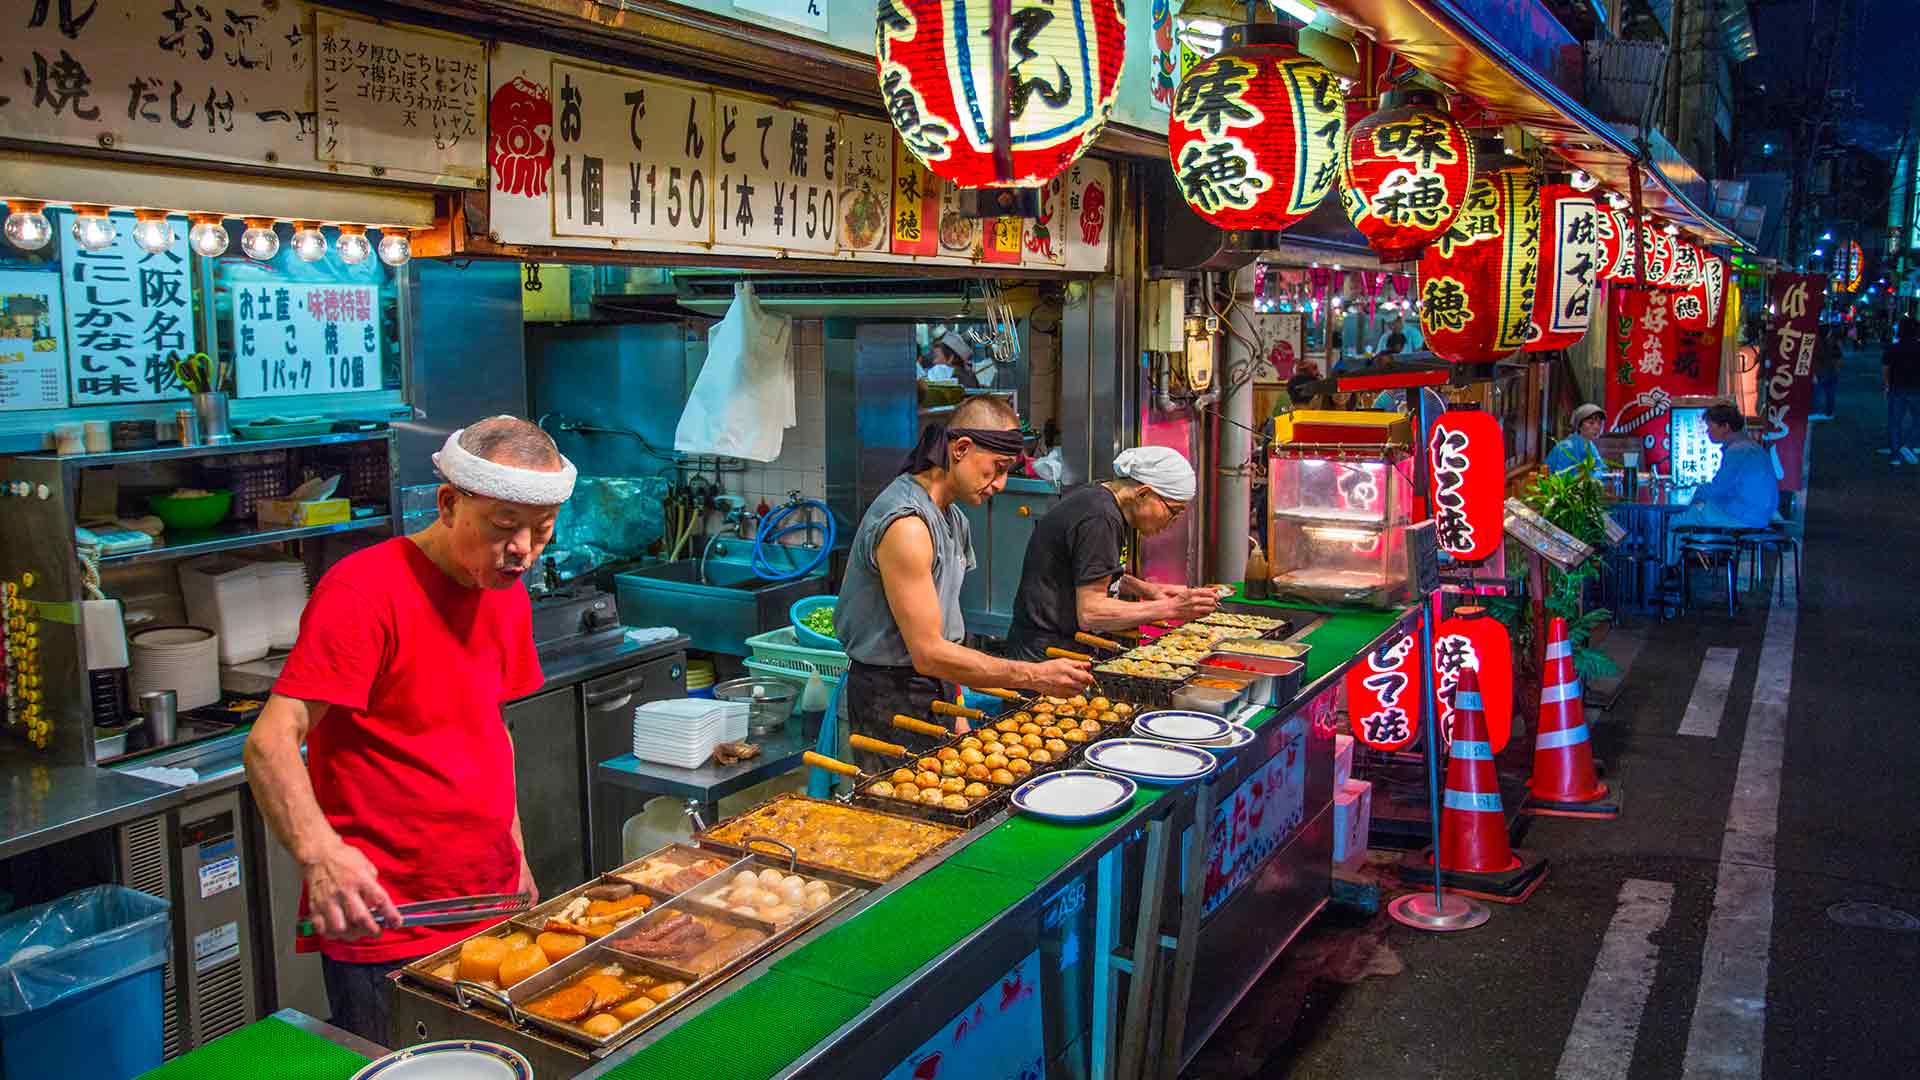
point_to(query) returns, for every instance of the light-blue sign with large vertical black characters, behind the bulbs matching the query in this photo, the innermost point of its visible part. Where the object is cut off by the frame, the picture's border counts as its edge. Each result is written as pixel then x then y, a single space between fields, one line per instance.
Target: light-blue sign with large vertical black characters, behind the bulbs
pixel 126 312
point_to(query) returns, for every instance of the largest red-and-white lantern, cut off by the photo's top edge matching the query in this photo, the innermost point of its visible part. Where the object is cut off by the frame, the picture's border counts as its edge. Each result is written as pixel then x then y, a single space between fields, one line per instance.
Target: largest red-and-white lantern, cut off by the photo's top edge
pixel 936 80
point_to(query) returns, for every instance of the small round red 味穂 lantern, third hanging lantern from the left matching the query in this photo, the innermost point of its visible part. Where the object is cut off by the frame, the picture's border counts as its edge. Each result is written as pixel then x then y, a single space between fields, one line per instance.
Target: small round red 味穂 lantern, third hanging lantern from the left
pixel 1404 176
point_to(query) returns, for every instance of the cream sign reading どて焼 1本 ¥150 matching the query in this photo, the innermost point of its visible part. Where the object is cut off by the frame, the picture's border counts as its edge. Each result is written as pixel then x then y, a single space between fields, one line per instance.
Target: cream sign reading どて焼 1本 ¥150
pixel 779 176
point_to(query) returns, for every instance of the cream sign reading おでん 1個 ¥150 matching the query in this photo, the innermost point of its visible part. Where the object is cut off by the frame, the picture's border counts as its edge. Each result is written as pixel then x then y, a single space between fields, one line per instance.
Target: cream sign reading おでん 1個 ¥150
pixel 648 145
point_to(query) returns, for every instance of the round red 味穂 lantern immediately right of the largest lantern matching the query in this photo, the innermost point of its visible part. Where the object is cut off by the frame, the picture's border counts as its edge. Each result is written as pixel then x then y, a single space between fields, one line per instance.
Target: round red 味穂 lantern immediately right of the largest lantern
pixel 1257 132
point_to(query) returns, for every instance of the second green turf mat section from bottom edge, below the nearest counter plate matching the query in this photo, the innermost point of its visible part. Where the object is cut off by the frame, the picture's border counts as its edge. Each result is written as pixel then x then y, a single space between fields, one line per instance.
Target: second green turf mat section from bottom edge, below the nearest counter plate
pixel 894 939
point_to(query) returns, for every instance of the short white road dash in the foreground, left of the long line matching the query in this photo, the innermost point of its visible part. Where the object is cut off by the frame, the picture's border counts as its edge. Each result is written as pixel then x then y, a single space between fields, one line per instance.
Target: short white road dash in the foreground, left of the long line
pixel 1602 1041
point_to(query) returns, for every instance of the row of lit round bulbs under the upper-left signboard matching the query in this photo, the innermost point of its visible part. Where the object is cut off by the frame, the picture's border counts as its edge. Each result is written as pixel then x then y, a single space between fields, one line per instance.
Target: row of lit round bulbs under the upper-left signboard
pixel 30 230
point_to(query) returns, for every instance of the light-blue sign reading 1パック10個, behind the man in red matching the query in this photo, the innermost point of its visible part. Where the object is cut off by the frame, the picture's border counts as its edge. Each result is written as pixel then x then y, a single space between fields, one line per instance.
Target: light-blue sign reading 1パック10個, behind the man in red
pixel 306 339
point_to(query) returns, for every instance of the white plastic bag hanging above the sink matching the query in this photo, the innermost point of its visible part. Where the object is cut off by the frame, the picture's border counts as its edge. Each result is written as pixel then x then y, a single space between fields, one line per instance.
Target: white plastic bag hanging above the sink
pixel 744 399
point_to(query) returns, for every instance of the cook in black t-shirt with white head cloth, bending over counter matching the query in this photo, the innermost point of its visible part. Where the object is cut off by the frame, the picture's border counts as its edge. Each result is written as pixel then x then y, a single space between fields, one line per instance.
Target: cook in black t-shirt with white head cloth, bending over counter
pixel 1074 577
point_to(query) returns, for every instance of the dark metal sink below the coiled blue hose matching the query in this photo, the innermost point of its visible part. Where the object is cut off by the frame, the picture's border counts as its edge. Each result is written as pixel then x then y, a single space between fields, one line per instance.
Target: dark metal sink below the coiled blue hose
pixel 721 608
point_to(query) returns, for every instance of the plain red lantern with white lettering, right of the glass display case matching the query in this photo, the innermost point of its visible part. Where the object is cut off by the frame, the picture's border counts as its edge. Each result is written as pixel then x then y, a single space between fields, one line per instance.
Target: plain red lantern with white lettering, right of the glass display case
pixel 1468 466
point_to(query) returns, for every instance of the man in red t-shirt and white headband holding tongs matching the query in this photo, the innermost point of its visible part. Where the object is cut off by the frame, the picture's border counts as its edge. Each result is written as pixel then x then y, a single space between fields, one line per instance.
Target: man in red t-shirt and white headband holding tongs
pixel 406 654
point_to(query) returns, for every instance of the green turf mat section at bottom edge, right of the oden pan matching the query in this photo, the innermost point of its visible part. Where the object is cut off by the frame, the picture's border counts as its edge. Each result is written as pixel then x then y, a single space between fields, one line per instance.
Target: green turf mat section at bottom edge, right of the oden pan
pixel 757 1031
